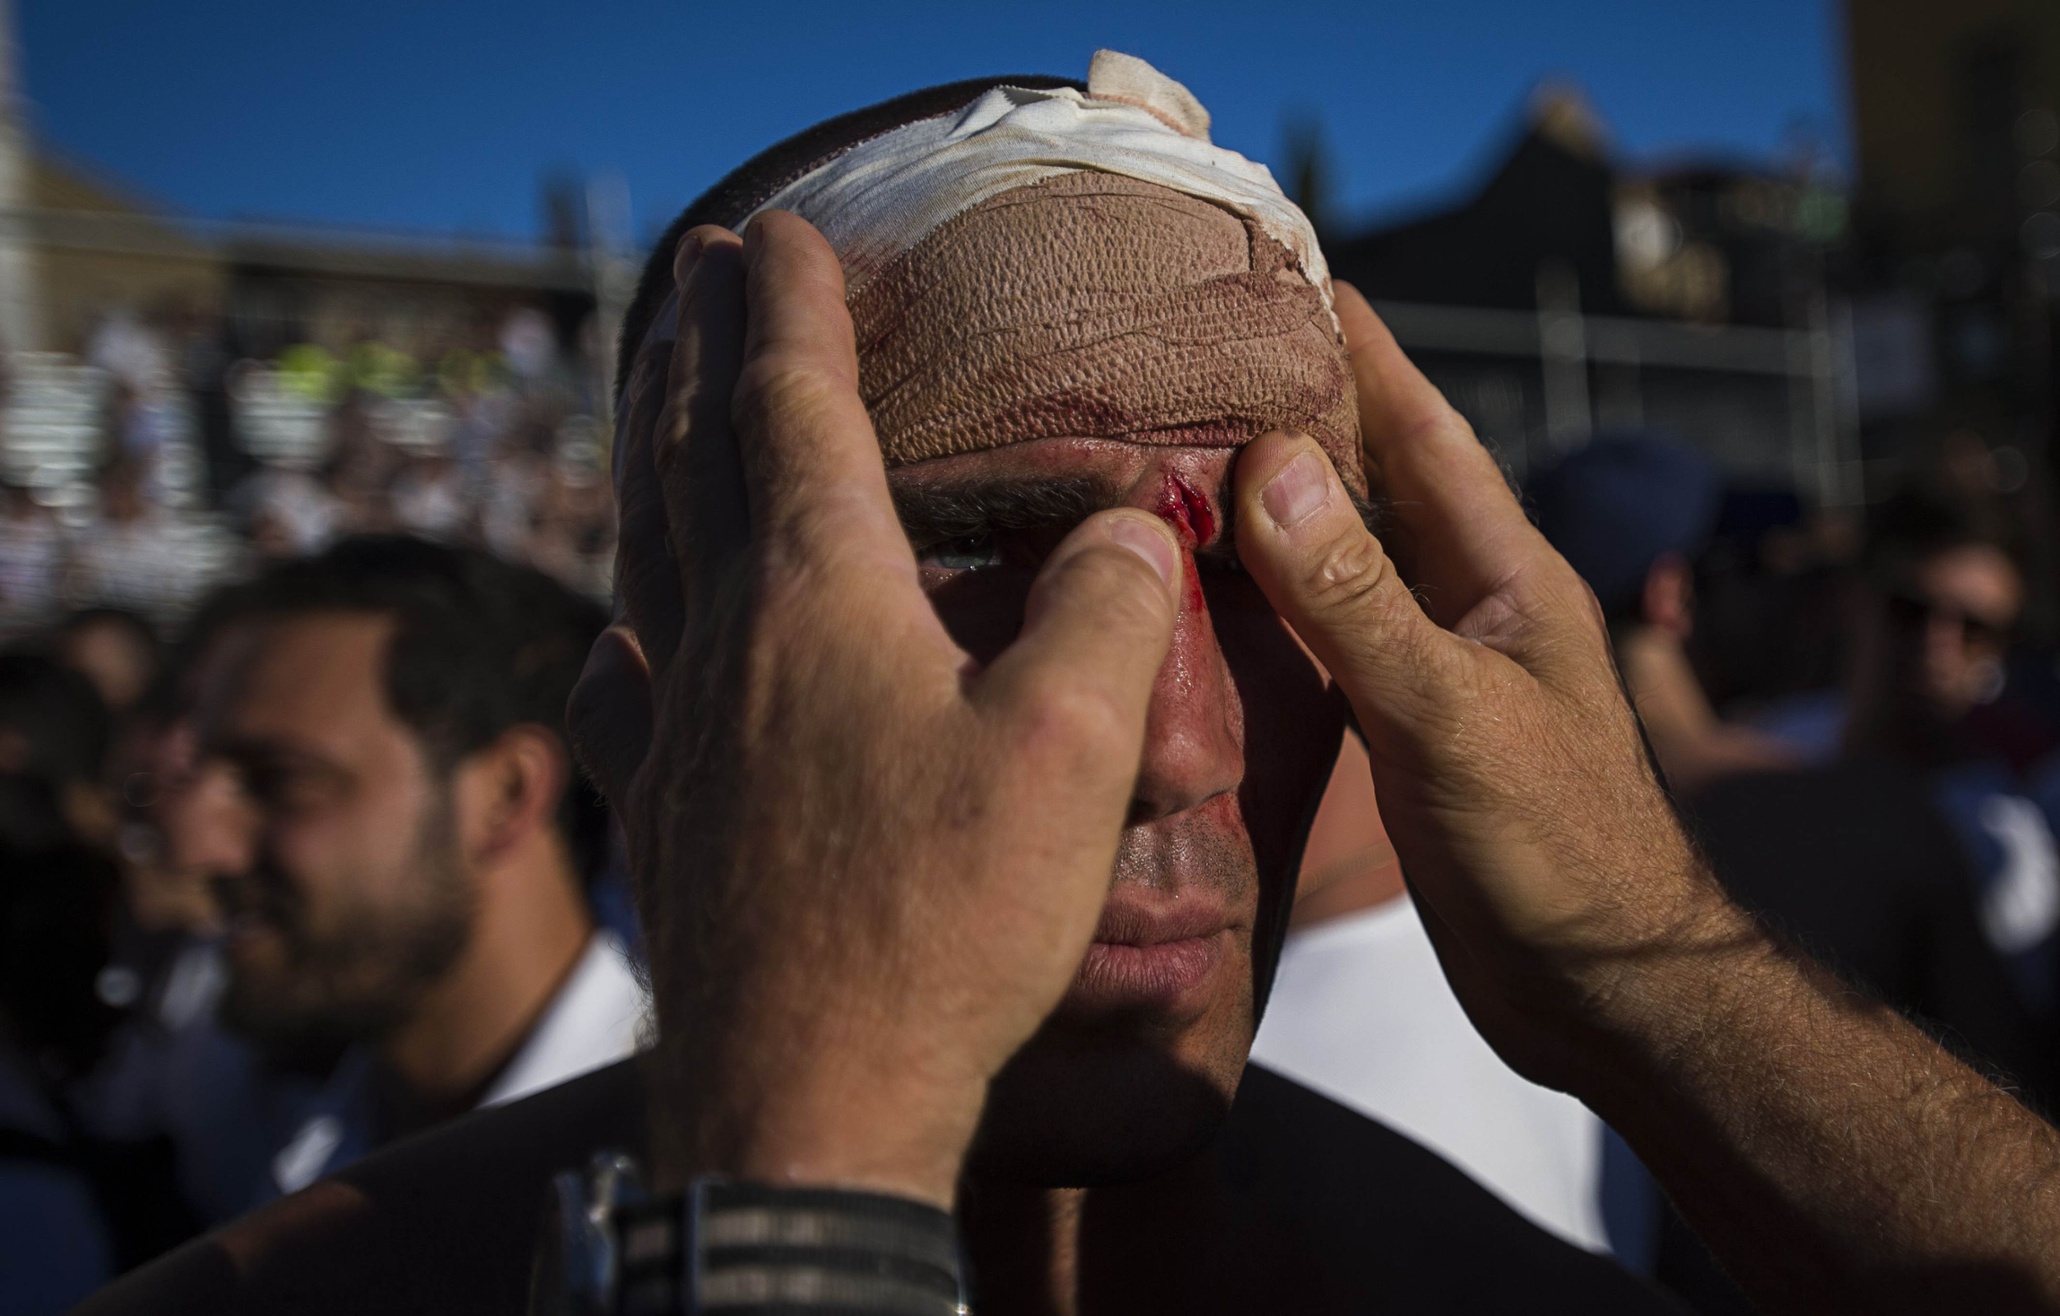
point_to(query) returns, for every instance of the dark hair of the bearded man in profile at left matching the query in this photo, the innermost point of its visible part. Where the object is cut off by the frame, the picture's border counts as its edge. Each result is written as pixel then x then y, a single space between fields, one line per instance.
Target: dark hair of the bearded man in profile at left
pixel 479 648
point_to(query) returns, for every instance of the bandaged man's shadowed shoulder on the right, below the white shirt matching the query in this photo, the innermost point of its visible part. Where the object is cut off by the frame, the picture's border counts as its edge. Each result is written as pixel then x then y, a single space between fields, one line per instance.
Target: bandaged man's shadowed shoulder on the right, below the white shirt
pixel 1398 1224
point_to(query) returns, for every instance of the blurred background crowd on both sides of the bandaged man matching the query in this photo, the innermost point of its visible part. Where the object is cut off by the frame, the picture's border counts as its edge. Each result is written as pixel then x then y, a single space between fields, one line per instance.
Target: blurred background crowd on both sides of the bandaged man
pixel 294 858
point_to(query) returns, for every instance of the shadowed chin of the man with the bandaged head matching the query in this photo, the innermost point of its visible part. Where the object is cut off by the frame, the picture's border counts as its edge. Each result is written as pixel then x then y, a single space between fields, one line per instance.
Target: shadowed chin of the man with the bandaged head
pixel 1080 1109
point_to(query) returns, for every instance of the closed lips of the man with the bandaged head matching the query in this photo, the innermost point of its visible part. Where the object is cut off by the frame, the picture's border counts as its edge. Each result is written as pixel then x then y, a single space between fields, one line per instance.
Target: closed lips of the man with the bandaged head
pixel 1153 957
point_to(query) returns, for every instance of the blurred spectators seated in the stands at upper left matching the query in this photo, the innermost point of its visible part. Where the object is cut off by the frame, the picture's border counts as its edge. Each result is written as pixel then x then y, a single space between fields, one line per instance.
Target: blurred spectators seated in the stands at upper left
pixel 170 456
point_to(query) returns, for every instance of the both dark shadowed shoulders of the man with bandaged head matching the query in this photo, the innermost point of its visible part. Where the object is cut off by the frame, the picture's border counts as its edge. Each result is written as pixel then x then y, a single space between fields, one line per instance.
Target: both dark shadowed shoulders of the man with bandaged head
pixel 446 1224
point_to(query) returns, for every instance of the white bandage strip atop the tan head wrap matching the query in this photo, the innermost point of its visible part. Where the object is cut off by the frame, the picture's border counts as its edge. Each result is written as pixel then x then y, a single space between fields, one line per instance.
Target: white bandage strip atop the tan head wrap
pixel 887 195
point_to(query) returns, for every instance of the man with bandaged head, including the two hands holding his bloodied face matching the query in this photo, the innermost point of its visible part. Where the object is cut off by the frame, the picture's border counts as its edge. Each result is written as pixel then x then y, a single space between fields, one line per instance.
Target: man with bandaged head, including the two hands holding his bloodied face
pixel 994 586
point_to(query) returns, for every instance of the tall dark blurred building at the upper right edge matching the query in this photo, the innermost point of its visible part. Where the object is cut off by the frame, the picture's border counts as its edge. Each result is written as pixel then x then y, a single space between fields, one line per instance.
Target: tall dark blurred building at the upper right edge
pixel 1958 219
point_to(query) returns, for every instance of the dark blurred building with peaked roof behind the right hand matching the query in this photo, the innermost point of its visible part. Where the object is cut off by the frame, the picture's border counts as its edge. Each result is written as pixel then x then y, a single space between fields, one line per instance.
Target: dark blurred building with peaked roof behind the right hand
pixel 1577 293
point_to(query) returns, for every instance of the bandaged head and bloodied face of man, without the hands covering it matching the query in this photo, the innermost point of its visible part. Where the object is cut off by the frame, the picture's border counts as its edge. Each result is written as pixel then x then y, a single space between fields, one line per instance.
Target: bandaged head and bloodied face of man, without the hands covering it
pixel 1041 341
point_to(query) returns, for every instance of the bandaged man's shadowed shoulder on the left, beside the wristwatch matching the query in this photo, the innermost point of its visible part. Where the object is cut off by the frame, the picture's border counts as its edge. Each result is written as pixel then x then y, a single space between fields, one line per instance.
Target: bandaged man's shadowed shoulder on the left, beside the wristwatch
pixel 444 1222
